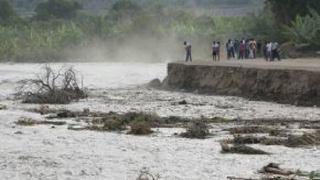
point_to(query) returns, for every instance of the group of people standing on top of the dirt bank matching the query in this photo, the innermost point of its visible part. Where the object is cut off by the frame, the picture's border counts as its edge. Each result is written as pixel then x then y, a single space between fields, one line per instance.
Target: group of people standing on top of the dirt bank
pixel 244 49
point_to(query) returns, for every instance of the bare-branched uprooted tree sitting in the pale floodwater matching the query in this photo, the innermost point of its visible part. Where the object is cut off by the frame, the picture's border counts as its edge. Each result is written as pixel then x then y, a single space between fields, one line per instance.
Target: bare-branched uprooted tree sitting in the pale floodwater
pixel 53 87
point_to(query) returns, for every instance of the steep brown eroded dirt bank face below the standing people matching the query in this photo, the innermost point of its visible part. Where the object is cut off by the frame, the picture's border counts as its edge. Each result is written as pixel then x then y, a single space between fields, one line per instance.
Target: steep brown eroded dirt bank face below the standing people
pixel 298 86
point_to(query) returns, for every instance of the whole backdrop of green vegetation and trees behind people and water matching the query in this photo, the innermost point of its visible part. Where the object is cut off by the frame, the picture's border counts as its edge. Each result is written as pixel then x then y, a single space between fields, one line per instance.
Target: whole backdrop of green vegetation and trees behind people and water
pixel 61 30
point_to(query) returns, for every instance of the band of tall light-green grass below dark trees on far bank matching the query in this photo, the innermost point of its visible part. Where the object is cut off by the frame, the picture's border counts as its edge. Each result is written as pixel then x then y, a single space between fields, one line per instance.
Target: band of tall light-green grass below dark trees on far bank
pixel 53 40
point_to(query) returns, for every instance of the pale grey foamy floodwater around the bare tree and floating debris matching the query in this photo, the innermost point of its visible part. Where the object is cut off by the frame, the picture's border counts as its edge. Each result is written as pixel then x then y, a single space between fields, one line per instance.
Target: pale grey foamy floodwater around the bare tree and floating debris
pixel 41 152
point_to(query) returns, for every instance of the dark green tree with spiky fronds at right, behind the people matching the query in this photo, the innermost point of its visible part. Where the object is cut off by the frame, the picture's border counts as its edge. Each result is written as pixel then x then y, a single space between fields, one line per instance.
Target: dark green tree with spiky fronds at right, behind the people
pixel 296 24
